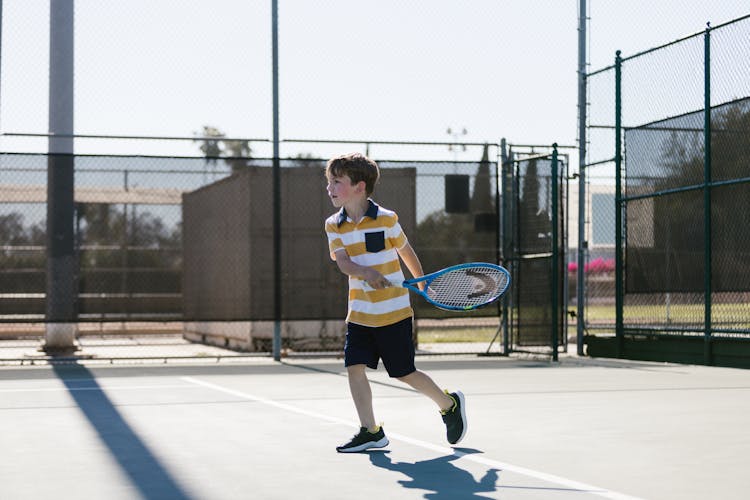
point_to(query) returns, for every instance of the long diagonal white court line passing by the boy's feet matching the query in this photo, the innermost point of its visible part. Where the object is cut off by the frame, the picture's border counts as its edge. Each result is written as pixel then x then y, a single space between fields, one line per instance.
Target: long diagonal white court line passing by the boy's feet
pixel 550 478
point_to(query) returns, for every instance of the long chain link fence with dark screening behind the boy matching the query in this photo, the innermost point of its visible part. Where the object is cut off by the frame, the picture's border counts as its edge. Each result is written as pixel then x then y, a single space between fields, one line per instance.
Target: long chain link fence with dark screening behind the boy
pixel 179 245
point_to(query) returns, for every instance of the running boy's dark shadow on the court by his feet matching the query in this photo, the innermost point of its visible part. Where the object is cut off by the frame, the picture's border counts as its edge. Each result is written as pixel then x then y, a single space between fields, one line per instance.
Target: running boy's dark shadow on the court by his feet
pixel 439 476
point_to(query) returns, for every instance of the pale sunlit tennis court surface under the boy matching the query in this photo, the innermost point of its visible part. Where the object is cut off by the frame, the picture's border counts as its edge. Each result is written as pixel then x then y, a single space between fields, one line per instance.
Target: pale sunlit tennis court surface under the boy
pixel 253 428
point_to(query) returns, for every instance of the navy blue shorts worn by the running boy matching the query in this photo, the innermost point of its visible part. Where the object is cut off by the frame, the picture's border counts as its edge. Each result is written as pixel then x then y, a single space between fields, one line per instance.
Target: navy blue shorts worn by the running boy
pixel 366 345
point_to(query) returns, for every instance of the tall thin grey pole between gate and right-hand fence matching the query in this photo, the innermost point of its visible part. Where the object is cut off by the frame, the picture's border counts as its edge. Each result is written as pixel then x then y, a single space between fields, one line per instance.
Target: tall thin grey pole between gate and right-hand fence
pixel 582 243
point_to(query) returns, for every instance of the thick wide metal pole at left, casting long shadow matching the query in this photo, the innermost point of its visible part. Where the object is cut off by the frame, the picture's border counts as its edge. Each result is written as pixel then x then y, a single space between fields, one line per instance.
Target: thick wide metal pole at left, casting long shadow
pixel 61 262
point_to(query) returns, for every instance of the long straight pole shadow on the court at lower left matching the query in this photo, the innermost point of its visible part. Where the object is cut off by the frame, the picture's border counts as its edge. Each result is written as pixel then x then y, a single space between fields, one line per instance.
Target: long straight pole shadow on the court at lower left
pixel 140 465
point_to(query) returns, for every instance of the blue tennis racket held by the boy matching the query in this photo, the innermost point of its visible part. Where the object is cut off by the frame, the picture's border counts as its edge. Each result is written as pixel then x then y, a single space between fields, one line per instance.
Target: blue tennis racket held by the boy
pixel 463 287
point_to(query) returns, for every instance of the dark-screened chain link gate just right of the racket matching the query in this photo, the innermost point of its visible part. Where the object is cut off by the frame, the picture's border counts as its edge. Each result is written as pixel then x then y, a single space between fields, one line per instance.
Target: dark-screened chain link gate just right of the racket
pixel 535 188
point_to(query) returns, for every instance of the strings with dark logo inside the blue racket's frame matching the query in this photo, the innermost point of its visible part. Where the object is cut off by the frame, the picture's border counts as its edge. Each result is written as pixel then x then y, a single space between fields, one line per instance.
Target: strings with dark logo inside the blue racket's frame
pixel 467 287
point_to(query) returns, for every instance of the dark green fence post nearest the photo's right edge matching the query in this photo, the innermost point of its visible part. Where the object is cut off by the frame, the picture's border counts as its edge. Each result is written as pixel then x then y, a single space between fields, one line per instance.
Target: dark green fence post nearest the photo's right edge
pixel 707 196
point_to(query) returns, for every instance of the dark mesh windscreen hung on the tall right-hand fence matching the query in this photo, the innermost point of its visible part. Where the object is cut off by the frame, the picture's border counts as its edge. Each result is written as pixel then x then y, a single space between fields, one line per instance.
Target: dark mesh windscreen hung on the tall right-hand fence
pixel 678 218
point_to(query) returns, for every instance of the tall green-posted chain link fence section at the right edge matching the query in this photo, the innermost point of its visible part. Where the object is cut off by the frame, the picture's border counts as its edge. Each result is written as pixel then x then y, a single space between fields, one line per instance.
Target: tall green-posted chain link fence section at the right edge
pixel 680 117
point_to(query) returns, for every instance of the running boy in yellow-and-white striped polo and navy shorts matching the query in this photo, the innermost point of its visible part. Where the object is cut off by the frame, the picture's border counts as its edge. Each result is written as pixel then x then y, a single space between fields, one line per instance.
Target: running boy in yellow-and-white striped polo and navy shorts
pixel 366 242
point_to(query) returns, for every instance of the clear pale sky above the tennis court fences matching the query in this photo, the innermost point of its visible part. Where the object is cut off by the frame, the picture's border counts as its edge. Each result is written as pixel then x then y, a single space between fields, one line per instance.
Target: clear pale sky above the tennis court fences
pixel 365 70
